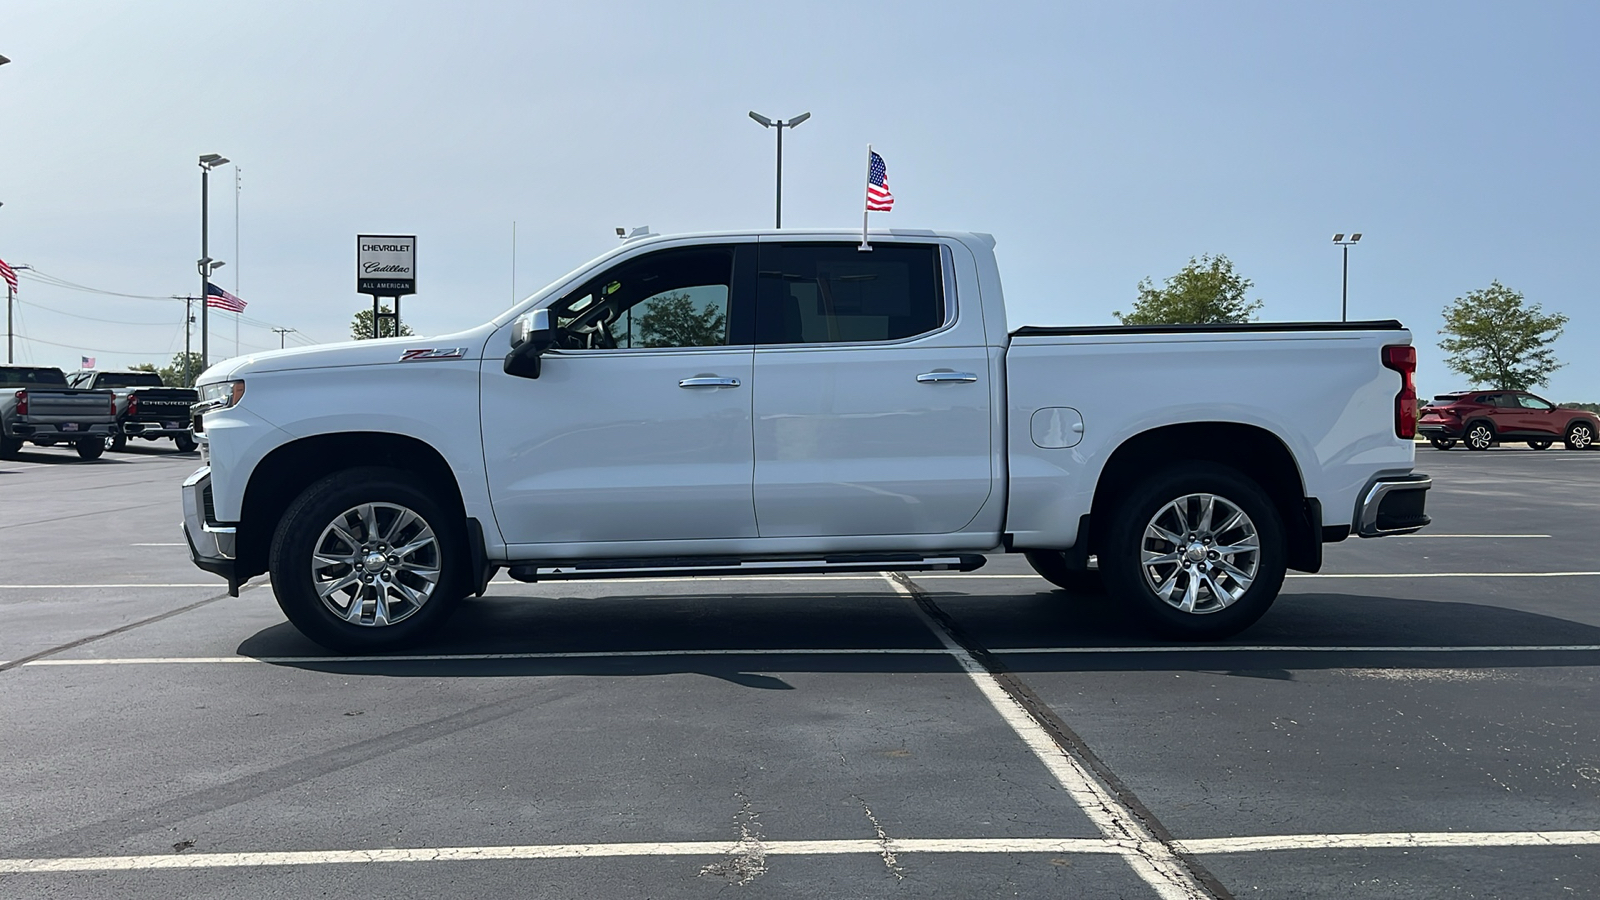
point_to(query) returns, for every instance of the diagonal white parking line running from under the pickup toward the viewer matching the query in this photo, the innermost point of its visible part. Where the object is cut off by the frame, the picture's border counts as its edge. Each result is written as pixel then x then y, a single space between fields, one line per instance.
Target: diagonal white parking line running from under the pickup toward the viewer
pixel 1151 859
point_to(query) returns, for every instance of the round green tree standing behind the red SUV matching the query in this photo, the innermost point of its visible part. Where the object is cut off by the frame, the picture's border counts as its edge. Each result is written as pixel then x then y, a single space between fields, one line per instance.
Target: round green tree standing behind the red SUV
pixel 1497 339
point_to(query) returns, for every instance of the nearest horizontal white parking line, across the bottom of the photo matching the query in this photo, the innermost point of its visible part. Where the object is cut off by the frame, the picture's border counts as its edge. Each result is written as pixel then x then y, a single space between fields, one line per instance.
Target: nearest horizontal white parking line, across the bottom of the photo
pixel 1409 840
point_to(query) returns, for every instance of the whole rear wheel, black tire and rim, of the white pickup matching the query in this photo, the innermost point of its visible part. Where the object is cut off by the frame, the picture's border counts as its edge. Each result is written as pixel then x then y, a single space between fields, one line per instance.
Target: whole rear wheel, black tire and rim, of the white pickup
pixel 1198 552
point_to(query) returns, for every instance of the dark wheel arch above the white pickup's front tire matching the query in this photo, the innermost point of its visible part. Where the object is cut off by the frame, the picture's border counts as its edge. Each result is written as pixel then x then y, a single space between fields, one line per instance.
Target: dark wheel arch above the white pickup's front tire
pixel 289 470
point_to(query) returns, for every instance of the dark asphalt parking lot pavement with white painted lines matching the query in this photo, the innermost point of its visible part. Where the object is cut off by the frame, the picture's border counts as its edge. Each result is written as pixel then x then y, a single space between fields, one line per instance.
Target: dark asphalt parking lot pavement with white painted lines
pixel 1415 721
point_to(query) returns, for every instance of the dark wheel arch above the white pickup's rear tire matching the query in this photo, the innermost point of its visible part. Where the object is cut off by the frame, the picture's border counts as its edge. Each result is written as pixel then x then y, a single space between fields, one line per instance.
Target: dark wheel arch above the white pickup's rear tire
pixel 1247 449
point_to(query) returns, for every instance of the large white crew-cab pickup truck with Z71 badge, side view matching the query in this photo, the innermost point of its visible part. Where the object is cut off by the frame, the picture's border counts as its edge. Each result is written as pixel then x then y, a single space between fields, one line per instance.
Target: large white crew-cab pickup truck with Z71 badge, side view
pixel 793 403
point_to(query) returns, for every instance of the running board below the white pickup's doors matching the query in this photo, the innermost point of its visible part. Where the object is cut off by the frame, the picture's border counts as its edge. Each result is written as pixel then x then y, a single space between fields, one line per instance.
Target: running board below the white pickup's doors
pixel 682 568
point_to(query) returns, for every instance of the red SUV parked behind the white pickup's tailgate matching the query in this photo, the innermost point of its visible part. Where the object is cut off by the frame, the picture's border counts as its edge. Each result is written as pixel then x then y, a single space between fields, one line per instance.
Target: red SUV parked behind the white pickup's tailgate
pixel 1479 419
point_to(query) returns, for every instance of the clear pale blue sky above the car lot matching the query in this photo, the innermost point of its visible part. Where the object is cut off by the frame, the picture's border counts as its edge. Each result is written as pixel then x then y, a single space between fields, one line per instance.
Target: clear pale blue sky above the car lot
pixel 1100 143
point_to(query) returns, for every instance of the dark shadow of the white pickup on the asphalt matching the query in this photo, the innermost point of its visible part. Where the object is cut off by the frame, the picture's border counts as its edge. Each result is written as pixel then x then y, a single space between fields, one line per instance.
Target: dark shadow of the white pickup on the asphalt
pixel 743 638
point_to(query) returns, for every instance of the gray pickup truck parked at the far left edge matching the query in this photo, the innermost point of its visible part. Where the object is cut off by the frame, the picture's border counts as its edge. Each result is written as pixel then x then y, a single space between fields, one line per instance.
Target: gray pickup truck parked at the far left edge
pixel 38 406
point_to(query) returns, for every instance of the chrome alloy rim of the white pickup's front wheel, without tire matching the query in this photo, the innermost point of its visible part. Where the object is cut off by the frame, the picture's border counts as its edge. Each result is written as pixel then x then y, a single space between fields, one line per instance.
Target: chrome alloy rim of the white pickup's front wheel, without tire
pixel 377 565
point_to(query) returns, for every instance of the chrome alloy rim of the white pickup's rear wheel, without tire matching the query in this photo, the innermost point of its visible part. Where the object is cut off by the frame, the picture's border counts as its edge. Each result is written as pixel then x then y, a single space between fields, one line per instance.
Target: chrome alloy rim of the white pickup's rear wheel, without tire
pixel 1201 553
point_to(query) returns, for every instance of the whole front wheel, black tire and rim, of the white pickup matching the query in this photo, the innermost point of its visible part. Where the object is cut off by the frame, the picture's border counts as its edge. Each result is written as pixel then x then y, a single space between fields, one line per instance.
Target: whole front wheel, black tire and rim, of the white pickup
pixel 366 561
